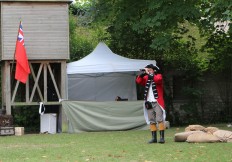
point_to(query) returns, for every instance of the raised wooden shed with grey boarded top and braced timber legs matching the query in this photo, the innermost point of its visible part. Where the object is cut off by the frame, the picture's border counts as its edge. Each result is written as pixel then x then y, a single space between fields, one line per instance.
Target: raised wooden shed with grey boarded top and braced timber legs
pixel 46 34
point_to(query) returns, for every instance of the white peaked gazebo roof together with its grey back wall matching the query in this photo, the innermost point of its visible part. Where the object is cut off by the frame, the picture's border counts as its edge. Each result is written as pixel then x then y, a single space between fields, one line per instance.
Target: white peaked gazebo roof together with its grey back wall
pixel 102 75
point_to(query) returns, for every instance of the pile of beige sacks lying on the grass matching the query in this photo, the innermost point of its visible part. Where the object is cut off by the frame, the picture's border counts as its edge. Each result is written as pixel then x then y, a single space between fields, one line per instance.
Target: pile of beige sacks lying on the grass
pixel 199 134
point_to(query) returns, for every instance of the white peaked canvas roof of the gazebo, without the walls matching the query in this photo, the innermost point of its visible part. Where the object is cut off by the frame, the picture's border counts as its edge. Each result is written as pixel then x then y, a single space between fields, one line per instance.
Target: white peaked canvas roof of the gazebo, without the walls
pixel 103 60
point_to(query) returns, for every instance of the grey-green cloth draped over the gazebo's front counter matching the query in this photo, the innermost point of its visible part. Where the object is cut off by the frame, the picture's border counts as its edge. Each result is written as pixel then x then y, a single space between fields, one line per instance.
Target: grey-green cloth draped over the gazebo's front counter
pixel 92 116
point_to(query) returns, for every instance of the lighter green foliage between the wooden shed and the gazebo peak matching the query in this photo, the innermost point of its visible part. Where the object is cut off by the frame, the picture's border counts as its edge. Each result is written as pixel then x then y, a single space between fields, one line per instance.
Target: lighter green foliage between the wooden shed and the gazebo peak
pixel 84 34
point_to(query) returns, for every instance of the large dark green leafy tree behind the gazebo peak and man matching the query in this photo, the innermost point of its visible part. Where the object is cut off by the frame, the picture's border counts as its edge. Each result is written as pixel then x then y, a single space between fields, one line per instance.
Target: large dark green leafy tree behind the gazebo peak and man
pixel 158 30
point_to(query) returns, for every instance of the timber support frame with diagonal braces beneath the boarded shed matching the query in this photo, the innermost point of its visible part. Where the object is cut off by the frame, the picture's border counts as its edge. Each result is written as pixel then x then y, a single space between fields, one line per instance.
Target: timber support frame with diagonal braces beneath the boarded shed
pixel 44 68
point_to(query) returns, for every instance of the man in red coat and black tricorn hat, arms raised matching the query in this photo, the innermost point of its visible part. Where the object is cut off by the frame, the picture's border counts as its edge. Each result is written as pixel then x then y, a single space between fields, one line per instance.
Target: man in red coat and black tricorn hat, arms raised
pixel 154 111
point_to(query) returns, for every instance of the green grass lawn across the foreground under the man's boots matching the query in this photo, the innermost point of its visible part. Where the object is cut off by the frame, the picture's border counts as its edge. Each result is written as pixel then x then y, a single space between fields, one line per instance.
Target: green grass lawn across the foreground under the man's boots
pixel 118 146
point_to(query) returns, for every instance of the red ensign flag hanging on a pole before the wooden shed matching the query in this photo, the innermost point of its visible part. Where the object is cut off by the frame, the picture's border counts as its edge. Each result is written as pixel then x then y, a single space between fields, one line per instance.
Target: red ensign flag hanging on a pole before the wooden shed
pixel 22 66
